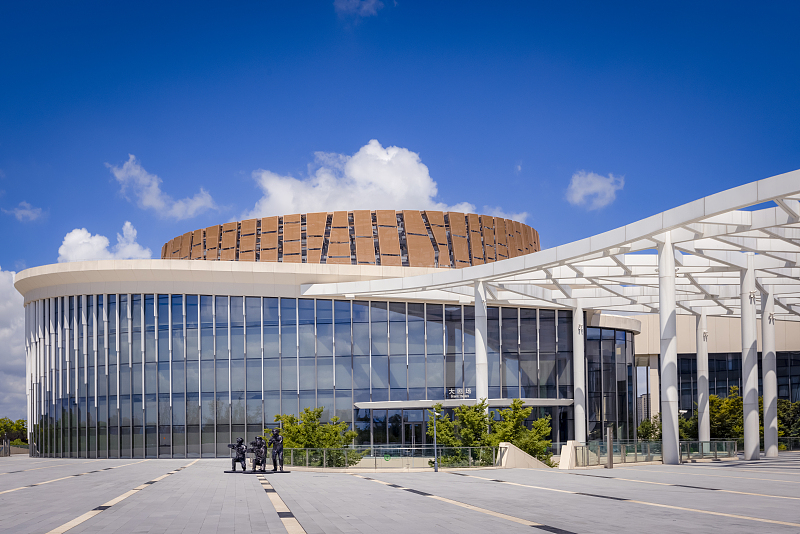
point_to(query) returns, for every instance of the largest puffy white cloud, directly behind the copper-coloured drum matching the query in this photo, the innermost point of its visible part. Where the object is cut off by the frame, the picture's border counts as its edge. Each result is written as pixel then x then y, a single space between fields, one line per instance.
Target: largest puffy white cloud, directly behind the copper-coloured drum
pixel 373 178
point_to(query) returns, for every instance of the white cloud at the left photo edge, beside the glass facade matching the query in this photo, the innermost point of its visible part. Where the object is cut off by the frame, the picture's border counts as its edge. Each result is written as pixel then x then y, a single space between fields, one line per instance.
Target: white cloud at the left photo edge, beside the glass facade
pixel 12 356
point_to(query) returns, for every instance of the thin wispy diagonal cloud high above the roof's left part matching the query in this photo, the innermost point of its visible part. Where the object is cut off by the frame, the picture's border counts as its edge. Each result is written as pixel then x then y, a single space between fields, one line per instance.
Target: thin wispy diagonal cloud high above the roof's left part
pixel 146 188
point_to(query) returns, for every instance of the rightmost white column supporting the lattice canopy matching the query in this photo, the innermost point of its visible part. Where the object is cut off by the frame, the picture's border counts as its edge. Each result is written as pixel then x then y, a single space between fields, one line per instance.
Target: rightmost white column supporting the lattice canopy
pixel 769 378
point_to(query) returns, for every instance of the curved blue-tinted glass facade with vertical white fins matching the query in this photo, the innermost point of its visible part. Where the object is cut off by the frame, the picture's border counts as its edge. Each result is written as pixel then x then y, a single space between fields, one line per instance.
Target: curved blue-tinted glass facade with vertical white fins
pixel 173 376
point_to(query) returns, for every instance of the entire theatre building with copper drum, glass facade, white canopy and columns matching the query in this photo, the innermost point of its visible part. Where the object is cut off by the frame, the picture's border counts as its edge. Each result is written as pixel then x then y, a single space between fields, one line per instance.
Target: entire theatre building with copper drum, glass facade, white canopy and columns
pixel 377 315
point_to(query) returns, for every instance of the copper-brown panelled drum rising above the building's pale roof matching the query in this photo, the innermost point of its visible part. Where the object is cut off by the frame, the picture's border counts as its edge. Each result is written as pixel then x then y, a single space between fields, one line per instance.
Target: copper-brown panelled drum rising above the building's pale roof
pixel 407 238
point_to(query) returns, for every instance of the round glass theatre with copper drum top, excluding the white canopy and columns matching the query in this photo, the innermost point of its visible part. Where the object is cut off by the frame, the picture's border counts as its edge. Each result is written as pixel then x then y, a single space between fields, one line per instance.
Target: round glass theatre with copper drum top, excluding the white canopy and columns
pixel 176 357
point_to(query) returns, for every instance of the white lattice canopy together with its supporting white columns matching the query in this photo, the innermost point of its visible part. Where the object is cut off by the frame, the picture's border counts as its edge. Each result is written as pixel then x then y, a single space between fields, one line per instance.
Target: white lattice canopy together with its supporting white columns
pixel 720 255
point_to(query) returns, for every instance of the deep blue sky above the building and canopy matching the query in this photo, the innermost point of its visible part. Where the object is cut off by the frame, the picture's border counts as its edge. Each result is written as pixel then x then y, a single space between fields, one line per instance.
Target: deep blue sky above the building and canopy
pixel 503 103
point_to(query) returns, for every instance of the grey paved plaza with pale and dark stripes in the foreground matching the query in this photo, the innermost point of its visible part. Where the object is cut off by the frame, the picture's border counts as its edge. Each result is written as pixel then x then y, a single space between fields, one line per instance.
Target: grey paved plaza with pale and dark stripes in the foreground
pixel 153 496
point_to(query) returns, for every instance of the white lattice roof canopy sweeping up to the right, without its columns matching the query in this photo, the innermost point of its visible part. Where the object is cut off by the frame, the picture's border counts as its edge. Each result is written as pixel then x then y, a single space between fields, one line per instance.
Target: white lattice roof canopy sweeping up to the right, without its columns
pixel 617 271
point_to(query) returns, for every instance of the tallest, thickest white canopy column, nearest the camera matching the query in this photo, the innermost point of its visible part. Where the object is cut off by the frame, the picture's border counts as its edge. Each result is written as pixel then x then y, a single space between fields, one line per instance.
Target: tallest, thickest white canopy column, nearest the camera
pixel 669 352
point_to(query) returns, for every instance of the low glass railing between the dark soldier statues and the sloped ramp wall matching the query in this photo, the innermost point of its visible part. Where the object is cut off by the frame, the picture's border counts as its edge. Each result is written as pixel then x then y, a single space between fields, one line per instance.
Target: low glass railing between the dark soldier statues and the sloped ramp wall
pixel 390 457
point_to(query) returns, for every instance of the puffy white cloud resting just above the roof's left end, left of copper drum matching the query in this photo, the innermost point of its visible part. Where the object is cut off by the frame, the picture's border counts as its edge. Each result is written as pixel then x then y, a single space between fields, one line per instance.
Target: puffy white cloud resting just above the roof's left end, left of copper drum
pixel 80 245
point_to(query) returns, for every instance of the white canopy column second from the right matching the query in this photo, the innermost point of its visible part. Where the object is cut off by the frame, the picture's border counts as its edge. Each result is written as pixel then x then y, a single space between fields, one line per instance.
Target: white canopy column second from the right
pixel 749 361
